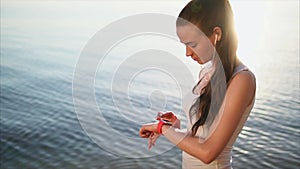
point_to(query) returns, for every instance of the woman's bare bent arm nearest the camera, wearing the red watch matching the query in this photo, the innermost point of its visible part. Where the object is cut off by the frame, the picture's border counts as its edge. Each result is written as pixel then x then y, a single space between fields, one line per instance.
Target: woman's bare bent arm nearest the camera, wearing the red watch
pixel 239 95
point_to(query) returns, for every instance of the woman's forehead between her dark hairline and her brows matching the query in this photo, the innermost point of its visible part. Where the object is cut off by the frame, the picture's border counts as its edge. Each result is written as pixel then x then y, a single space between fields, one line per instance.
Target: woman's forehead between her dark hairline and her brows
pixel 188 33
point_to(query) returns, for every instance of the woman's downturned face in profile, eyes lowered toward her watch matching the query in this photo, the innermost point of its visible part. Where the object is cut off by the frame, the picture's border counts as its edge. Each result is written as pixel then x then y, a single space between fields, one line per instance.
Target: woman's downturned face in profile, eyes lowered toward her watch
pixel 198 45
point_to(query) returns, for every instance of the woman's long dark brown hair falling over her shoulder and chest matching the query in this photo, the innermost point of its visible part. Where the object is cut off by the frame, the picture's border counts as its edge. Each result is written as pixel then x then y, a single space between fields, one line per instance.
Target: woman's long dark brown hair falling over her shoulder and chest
pixel 206 15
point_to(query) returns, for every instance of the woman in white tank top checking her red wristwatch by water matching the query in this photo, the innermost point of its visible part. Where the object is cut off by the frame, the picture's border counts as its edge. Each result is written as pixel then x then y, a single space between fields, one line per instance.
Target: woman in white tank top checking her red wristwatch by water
pixel 223 103
